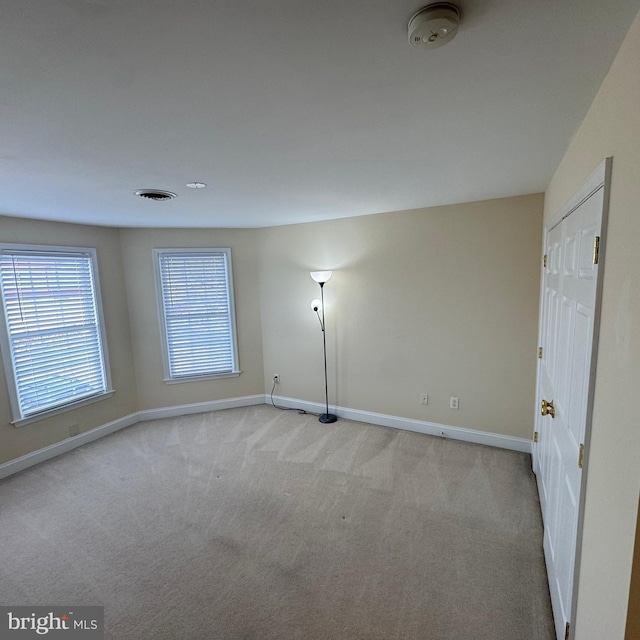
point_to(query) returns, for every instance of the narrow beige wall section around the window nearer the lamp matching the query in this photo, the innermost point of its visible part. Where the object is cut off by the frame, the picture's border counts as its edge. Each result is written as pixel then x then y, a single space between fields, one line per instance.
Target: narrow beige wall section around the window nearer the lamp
pixel 137 247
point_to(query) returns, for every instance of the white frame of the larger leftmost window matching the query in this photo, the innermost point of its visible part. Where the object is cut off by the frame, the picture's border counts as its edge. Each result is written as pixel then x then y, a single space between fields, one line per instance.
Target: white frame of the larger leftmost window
pixel 19 419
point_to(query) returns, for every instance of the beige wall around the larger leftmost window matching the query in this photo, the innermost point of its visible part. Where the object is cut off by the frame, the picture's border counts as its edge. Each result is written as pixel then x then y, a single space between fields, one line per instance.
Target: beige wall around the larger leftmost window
pixel 15 442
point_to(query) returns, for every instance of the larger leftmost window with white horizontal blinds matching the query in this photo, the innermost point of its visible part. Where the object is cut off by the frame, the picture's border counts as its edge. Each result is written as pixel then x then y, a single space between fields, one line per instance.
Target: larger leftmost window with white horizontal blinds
pixel 52 339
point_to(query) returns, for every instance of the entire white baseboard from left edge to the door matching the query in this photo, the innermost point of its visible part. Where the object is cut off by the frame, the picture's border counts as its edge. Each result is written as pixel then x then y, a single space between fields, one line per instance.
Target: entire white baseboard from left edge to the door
pixel 420 426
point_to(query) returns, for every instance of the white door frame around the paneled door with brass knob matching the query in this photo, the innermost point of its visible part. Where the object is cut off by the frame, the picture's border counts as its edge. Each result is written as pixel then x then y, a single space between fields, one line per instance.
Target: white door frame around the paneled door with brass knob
pixel 599 179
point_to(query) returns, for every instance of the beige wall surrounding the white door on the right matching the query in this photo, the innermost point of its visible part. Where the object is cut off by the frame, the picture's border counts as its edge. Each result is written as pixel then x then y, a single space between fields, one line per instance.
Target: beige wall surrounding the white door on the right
pixel 611 128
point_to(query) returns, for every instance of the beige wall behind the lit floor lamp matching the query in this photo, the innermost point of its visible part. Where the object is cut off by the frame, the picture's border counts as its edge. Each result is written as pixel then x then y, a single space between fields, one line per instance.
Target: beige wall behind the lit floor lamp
pixel 441 300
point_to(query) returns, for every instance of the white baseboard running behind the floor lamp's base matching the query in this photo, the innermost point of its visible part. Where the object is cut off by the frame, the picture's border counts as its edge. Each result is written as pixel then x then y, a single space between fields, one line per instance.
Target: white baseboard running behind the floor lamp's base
pixel 420 426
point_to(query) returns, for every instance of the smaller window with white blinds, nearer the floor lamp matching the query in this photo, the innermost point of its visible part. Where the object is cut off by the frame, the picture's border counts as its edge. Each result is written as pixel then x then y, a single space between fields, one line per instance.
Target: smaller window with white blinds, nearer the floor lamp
pixel 197 317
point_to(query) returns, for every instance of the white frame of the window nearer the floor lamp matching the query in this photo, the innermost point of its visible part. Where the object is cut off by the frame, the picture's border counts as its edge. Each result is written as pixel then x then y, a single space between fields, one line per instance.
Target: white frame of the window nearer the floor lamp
pixel 235 369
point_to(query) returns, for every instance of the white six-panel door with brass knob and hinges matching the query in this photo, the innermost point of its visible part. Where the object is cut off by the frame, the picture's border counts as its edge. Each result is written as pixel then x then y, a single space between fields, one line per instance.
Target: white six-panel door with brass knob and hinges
pixel 569 317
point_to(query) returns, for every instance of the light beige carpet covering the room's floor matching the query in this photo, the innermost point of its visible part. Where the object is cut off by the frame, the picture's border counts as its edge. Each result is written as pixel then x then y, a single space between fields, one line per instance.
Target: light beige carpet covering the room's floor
pixel 257 524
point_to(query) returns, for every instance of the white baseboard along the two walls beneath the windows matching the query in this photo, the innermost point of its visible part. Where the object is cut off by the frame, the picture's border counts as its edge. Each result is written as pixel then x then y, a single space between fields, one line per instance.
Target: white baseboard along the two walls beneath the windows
pixel 58 448
